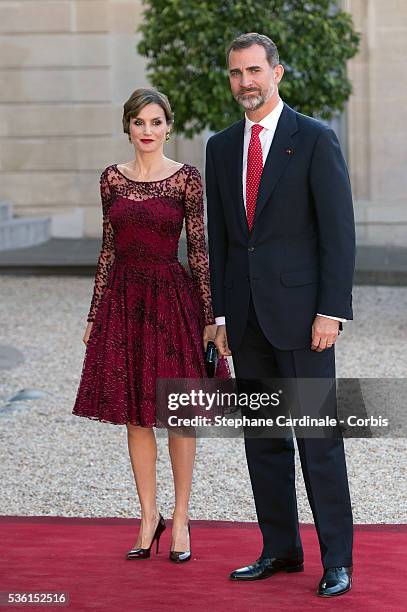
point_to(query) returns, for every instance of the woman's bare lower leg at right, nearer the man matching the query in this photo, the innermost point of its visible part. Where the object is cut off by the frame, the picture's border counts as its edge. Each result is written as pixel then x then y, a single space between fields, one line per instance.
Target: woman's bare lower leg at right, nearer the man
pixel 182 452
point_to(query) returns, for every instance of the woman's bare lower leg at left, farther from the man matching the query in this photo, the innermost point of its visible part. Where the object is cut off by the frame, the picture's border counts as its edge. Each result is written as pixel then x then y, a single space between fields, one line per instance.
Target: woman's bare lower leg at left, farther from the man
pixel 143 455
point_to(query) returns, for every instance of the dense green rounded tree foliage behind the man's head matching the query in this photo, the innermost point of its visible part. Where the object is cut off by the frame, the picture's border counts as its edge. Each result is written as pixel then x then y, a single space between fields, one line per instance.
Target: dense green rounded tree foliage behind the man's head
pixel 185 41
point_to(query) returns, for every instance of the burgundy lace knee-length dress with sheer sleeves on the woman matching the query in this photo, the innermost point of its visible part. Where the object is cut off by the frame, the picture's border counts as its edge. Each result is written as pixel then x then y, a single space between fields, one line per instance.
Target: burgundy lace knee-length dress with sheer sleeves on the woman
pixel 148 312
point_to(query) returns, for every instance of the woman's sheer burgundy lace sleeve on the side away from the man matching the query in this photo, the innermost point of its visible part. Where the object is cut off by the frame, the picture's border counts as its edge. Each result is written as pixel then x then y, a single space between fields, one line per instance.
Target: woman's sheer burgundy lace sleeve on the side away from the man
pixel 107 254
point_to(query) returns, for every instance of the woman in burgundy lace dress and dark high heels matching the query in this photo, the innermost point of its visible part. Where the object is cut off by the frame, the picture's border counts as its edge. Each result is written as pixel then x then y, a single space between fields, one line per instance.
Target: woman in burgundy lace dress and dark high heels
pixel 148 317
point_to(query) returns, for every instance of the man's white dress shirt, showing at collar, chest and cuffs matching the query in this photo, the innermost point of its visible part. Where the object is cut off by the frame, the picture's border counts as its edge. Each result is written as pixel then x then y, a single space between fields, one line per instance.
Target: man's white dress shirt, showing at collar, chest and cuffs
pixel 269 124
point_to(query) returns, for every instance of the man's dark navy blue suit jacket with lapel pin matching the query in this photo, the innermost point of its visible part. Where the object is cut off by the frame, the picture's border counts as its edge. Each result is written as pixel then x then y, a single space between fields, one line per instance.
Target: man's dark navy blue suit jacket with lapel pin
pixel 298 260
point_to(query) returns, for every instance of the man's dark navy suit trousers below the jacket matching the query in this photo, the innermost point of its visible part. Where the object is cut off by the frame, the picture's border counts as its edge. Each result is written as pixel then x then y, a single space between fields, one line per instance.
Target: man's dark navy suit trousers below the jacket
pixel 271 460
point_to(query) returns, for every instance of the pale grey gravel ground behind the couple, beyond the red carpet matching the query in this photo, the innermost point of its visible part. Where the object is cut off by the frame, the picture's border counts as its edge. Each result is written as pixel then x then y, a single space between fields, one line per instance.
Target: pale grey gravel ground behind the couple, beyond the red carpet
pixel 54 463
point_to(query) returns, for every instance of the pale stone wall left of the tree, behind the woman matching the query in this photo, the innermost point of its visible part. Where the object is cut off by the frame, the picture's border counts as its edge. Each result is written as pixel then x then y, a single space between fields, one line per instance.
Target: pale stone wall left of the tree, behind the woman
pixel 66 67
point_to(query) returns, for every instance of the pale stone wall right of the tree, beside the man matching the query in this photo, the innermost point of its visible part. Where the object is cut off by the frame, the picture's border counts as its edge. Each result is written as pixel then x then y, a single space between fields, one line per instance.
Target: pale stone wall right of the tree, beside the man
pixel 377 130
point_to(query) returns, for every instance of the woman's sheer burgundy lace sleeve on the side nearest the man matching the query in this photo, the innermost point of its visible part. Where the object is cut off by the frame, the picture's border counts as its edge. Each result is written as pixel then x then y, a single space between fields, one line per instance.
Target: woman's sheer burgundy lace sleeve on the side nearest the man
pixel 196 244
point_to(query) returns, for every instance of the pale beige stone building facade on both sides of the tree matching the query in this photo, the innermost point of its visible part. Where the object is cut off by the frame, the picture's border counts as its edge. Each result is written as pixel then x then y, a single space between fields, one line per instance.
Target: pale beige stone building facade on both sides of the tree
pixel 66 67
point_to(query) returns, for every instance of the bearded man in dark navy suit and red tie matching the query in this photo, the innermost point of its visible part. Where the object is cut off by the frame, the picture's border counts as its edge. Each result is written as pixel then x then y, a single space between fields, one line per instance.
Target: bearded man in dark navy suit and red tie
pixel 282 246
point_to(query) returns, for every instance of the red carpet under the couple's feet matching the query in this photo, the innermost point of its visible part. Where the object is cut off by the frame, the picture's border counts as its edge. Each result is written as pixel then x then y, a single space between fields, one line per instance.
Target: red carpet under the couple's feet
pixel 85 557
